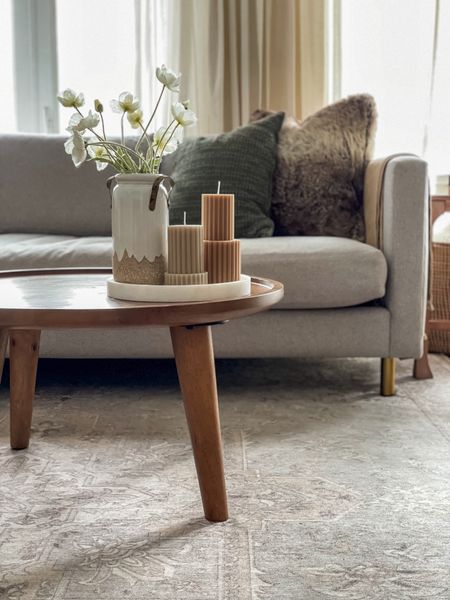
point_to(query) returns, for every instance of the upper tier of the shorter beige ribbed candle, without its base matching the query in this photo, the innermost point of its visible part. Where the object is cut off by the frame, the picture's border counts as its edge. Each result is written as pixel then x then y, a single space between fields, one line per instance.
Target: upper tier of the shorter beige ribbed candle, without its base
pixel 185 246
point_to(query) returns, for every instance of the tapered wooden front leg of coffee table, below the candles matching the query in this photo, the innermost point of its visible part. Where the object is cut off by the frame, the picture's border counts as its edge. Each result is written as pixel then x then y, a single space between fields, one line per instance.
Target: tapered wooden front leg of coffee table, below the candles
pixel 194 356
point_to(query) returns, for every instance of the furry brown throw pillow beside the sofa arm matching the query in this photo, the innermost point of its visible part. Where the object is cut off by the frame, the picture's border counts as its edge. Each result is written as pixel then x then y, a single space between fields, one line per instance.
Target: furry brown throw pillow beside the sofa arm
pixel 319 180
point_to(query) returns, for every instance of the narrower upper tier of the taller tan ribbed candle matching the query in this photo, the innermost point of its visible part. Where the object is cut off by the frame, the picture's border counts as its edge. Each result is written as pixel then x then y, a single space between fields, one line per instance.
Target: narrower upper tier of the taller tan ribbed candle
pixel 218 216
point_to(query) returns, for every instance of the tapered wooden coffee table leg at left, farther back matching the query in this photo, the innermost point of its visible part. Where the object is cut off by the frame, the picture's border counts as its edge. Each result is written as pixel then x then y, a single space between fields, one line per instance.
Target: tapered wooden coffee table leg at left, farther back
pixel 23 357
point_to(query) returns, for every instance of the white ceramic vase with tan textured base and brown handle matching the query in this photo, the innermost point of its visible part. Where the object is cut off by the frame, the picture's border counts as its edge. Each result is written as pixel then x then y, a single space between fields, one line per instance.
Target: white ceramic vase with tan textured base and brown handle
pixel 140 217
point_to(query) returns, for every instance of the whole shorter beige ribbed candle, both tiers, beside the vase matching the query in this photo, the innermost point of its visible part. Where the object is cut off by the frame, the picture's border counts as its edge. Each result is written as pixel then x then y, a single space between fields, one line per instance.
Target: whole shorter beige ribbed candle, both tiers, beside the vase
pixel 186 263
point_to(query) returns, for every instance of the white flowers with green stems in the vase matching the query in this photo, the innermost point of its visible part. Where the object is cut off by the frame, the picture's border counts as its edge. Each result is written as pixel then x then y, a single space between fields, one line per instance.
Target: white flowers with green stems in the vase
pixel 86 143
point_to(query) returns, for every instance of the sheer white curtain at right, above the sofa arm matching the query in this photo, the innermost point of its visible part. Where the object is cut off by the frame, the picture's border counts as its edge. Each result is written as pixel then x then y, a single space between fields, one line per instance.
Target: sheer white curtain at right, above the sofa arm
pixel 400 53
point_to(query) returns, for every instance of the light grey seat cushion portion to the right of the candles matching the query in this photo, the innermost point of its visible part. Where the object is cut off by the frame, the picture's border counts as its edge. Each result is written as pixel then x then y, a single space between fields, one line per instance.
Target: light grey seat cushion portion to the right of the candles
pixel 318 272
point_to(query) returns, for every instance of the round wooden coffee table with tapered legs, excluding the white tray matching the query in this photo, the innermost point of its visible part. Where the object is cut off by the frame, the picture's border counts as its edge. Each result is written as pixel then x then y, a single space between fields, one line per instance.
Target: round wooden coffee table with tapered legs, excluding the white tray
pixel 74 298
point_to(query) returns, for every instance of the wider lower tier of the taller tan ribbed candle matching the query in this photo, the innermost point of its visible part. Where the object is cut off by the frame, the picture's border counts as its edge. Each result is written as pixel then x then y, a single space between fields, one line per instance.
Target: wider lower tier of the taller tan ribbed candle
pixel 223 260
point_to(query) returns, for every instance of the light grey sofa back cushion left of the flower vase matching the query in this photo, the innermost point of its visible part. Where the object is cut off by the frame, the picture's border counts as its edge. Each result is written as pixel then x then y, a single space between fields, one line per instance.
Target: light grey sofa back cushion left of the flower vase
pixel 42 192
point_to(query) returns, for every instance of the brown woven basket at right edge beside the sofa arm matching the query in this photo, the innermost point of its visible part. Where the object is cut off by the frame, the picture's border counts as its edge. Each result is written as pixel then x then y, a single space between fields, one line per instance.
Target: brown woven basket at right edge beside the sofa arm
pixel 440 289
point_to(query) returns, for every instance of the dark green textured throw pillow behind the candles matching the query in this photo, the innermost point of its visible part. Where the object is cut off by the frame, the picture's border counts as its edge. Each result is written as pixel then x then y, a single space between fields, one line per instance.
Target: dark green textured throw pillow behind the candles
pixel 243 160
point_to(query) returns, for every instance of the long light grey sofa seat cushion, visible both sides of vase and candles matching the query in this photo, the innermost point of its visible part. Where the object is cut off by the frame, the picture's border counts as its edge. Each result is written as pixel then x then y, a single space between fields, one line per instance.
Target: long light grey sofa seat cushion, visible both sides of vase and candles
pixel 318 272
